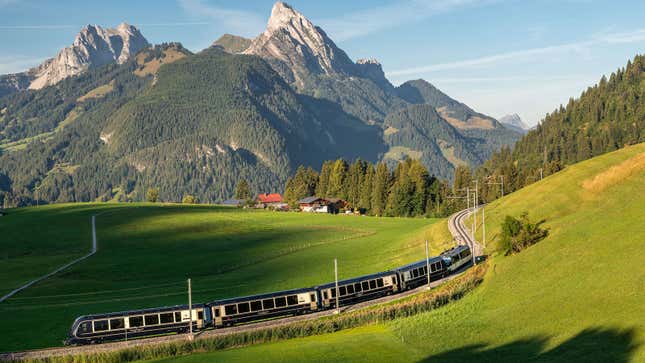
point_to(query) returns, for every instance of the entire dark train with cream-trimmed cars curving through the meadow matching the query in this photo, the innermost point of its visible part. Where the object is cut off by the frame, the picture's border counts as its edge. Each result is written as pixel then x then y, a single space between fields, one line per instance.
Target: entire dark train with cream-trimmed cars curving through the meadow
pixel 99 328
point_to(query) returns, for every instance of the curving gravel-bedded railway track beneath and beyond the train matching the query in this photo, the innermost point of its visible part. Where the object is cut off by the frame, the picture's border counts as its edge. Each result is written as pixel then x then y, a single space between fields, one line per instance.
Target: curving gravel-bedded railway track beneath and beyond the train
pixel 455 224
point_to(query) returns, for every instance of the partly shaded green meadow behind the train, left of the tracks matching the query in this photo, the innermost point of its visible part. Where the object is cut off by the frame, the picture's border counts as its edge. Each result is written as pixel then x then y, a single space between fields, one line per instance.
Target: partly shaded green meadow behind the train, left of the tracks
pixel 147 251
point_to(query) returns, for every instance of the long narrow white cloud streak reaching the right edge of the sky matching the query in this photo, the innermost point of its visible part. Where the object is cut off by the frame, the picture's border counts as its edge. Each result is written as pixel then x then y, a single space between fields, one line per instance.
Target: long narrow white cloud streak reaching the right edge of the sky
pixel 533 54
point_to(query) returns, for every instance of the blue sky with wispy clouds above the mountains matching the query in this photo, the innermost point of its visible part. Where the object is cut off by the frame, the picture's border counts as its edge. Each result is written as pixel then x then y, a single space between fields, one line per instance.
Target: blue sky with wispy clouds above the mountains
pixel 498 56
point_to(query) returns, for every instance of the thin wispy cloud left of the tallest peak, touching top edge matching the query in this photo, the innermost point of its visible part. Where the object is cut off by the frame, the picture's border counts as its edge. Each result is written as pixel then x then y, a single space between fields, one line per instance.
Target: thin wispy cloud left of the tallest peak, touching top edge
pixel 238 21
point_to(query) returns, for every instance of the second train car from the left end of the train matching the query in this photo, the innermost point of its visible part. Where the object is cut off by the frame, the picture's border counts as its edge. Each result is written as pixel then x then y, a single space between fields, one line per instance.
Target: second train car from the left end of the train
pixel 259 307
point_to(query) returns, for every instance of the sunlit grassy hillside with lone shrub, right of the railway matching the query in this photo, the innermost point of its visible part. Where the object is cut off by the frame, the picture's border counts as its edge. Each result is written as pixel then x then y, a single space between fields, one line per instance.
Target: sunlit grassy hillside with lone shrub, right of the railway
pixel 575 296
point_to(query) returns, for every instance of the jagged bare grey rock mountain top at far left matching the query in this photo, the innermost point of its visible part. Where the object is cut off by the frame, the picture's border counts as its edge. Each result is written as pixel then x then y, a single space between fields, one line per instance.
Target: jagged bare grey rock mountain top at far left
pixel 93 47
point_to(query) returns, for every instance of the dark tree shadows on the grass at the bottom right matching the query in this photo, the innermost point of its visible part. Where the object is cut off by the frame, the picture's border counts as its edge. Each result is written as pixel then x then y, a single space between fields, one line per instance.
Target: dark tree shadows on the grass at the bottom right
pixel 590 345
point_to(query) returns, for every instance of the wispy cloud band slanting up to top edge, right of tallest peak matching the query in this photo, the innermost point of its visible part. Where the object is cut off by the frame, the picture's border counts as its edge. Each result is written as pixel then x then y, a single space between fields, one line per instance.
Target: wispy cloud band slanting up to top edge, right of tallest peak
pixel 368 21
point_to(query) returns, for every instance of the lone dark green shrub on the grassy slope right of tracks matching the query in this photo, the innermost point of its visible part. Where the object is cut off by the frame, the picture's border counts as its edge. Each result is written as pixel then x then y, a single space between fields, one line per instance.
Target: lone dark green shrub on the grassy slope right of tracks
pixel 518 234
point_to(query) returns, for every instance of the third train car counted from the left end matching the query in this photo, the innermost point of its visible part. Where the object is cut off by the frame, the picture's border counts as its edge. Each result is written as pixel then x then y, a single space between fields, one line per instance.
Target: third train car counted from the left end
pixel 358 289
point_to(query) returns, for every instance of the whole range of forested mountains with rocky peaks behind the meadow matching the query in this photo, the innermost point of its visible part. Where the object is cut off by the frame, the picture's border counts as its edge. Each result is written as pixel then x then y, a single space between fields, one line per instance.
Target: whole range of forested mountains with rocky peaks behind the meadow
pixel 111 116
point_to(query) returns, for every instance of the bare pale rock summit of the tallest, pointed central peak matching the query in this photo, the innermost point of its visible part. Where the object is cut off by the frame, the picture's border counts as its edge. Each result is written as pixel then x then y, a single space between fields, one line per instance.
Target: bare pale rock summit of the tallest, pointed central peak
pixel 296 48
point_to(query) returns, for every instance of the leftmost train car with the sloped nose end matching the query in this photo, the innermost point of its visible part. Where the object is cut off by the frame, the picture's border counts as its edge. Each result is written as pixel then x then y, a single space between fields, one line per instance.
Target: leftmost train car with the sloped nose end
pixel 124 325
